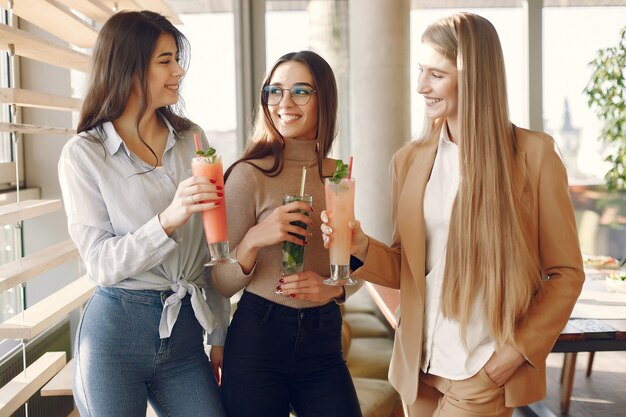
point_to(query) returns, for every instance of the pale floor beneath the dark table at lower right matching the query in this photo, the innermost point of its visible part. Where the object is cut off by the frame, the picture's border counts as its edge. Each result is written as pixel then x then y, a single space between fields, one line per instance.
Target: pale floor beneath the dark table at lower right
pixel 603 394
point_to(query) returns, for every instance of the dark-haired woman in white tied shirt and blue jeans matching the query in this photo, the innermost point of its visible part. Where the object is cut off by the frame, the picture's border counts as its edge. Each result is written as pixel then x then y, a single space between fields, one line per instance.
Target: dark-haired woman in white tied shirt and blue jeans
pixel 130 200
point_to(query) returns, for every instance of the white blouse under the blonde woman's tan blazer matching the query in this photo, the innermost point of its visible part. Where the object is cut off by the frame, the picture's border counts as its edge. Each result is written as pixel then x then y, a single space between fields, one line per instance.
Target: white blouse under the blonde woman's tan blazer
pixel 443 351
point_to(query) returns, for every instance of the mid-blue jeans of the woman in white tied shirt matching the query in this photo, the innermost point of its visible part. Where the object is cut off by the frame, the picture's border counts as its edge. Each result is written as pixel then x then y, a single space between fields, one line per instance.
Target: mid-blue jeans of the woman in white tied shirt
pixel 121 363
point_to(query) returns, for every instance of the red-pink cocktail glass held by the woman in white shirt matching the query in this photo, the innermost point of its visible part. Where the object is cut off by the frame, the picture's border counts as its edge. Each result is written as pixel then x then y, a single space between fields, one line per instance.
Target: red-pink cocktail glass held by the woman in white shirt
pixel 214 221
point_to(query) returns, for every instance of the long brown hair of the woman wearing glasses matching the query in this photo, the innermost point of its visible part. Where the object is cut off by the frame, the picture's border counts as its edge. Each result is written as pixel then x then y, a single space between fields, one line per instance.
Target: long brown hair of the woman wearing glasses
pixel 267 141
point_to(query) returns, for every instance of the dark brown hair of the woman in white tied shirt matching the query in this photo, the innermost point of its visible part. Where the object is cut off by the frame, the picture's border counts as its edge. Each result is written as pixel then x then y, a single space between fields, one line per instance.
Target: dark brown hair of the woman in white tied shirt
pixel 123 50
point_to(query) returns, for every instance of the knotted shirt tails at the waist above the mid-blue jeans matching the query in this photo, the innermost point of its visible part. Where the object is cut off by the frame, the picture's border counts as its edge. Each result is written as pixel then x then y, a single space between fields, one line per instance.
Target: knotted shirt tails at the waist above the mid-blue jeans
pixel 171 308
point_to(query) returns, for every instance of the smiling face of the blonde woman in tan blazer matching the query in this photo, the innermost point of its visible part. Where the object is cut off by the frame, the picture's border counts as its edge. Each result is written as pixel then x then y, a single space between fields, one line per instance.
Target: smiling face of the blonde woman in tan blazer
pixel 438 83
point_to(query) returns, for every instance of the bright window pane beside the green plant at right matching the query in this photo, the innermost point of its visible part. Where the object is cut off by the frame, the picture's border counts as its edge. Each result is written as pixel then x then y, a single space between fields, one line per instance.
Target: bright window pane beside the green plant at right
pixel 566 55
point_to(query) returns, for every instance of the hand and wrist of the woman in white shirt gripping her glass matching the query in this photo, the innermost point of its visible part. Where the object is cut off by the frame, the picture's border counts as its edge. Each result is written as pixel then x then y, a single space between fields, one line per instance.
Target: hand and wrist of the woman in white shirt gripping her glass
pixel 193 195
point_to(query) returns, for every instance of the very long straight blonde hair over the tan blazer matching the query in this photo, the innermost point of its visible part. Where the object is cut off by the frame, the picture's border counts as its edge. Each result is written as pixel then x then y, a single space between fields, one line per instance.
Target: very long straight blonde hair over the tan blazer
pixel 487 255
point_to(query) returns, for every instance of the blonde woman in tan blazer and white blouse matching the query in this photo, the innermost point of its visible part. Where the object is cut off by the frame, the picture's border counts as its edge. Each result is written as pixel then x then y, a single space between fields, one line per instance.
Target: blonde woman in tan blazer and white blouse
pixel 484 249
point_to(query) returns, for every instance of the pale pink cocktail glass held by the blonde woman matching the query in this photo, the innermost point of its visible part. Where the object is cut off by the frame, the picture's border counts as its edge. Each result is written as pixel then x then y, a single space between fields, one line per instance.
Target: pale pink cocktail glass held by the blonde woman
pixel 340 211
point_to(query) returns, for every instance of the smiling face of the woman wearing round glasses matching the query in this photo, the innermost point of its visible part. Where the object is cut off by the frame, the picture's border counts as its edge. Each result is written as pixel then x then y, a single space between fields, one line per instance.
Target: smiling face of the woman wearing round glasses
pixel 291 120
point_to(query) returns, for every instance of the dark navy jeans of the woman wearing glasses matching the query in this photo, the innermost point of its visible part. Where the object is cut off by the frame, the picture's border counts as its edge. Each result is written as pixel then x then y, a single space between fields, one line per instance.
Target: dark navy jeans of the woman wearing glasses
pixel 277 356
